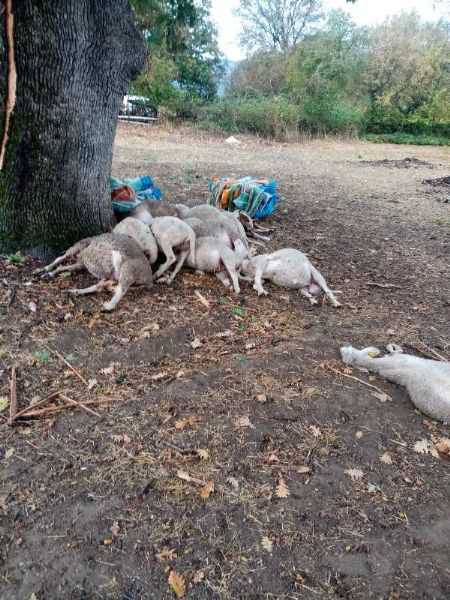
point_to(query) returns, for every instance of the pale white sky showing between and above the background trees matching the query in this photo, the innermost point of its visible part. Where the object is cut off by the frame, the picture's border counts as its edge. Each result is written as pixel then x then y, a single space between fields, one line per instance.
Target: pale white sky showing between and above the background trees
pixel 365 12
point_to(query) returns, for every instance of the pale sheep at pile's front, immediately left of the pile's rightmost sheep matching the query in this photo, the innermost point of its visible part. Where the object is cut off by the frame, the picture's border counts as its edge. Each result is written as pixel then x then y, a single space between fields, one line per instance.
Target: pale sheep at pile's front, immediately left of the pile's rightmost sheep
pixel 213 256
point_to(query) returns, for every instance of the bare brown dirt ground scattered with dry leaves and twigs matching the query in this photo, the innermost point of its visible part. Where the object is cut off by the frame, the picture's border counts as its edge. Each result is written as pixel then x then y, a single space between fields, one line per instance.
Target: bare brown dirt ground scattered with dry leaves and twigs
pixel 232 456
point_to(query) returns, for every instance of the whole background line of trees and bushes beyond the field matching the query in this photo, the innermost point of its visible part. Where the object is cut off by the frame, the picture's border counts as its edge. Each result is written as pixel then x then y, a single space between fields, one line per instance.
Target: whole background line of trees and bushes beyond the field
pixel 308 71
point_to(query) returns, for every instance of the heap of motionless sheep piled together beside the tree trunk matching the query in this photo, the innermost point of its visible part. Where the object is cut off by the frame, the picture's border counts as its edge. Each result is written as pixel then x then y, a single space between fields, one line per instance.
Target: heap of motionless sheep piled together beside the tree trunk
pixel 204 238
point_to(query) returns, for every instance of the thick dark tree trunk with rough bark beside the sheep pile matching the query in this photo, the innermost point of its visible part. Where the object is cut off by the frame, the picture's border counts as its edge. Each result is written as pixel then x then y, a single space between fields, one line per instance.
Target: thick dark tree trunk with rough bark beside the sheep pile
pixel 74 60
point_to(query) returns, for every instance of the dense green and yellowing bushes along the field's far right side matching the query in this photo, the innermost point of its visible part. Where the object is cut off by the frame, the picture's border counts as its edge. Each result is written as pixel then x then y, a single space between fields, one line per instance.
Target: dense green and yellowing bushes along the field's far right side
pixel 394 77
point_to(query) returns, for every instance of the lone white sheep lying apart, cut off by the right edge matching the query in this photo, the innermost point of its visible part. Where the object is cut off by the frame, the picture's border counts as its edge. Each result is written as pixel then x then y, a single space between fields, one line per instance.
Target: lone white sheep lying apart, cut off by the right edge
pixel 427 381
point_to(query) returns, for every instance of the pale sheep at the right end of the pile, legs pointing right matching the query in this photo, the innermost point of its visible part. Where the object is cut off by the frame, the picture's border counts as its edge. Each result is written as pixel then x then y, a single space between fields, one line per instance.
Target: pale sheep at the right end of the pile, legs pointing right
pixel 287 268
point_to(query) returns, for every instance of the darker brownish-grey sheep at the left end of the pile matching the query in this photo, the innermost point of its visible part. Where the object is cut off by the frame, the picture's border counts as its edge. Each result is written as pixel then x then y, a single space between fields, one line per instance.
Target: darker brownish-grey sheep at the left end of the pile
pixel 110 257
